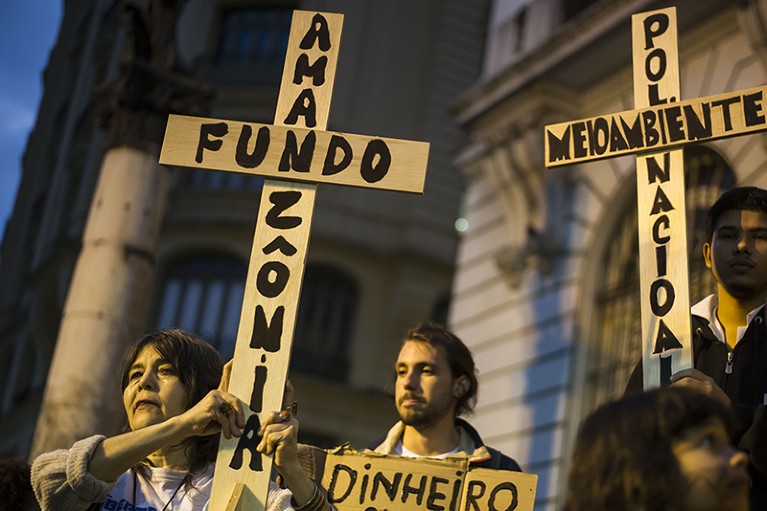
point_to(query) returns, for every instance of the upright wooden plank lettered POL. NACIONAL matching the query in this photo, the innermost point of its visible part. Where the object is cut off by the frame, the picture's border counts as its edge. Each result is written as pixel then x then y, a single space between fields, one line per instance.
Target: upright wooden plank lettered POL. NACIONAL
pixel 664 288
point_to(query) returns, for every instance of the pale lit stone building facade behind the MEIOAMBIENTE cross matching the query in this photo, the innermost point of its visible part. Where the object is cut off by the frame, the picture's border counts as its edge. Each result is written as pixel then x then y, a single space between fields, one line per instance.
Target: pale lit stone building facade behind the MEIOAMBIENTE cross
pixel 546 288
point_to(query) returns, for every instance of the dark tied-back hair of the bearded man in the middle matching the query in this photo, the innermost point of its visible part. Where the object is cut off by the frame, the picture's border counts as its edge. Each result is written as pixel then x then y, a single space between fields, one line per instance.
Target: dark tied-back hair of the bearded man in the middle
pixel 458 358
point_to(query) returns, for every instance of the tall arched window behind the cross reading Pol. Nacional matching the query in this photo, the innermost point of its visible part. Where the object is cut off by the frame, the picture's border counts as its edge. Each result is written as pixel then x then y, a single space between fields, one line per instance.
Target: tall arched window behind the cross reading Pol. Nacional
pixel 616 348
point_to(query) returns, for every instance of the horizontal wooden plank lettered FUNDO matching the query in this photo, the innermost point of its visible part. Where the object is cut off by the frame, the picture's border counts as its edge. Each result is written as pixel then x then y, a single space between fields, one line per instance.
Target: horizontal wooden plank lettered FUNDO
pixel 319 156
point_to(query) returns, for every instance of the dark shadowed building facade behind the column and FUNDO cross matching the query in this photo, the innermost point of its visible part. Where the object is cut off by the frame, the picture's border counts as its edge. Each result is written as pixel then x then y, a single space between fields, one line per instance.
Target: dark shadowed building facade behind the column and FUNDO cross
pixel 378 263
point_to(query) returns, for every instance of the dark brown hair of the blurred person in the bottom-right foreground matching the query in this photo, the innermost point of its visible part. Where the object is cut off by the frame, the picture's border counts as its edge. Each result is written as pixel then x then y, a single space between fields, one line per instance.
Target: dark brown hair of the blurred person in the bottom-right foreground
pixel 623 457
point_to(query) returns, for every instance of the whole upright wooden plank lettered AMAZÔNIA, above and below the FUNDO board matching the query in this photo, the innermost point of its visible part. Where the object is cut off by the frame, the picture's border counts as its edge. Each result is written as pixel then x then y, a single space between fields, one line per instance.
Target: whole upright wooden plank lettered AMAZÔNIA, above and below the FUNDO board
pixel 273 286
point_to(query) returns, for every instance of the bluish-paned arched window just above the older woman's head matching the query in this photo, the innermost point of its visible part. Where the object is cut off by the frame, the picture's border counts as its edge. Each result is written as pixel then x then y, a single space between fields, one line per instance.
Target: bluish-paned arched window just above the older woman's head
pixel 203 294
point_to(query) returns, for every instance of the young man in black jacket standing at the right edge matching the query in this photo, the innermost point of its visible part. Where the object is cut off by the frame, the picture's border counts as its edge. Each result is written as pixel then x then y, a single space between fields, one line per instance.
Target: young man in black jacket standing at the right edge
pixel 729 330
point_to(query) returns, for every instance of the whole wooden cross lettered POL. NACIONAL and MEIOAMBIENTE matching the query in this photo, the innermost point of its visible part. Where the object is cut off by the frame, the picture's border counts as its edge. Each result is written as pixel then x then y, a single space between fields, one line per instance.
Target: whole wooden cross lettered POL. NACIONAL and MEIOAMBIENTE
pixel 656 131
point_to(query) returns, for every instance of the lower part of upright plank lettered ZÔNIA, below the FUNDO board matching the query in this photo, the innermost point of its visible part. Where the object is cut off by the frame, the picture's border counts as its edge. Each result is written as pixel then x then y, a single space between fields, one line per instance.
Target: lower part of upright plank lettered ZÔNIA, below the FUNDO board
pixel 265 334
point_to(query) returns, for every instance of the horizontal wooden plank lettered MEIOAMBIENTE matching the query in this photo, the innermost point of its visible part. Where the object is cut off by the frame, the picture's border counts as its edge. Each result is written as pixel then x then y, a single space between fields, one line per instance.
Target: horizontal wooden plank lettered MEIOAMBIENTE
pixel 656 128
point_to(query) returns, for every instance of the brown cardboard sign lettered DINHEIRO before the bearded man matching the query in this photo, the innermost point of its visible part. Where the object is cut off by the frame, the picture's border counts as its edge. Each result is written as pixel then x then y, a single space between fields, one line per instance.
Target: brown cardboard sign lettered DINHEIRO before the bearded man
pixel 374 482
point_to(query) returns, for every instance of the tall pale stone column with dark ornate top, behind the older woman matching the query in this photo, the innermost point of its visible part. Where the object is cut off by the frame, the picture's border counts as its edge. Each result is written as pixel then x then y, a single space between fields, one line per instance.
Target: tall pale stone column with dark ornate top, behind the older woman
pixel 107 300
